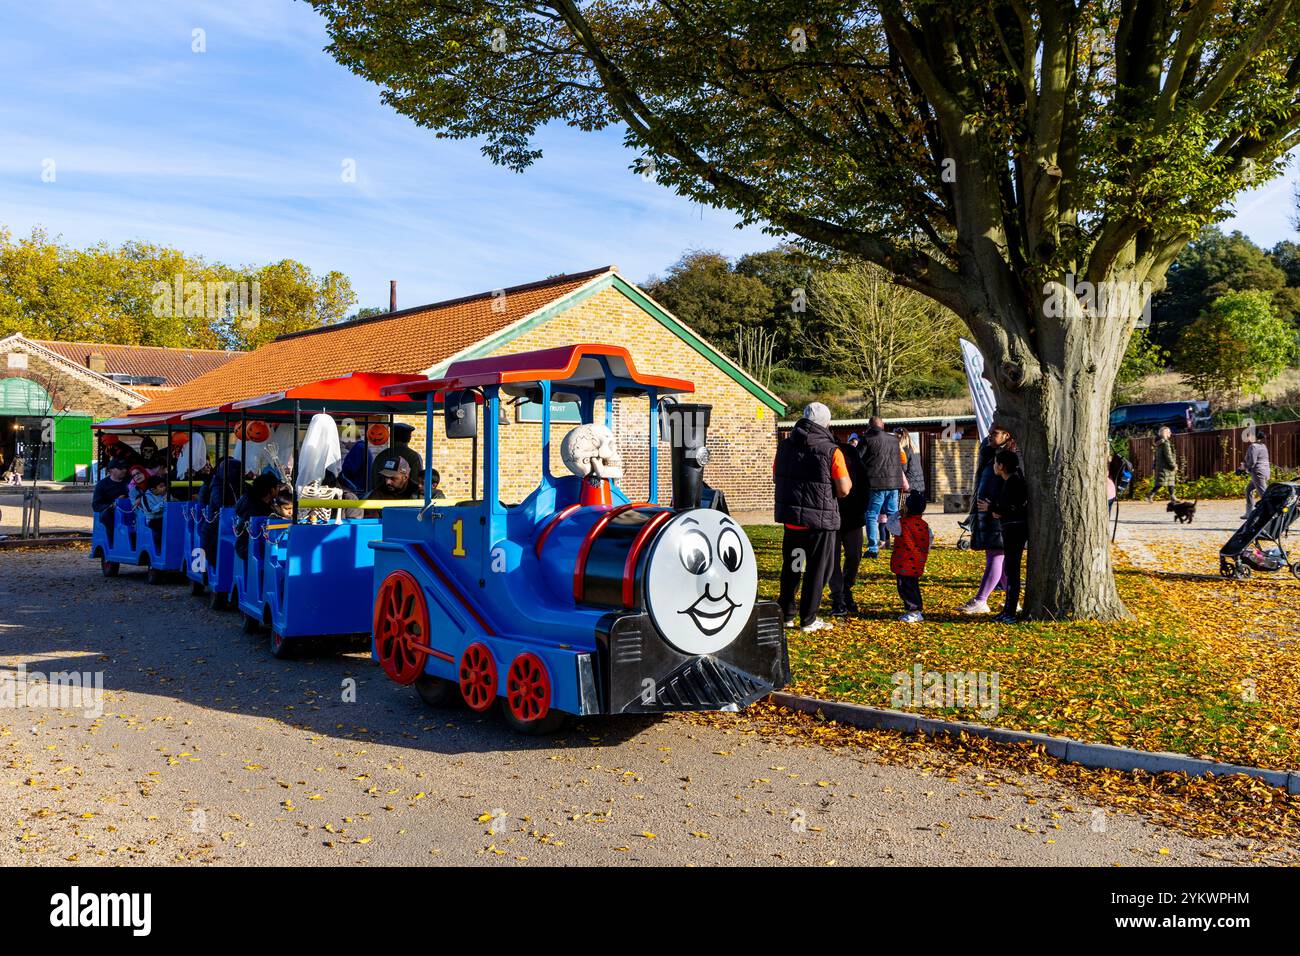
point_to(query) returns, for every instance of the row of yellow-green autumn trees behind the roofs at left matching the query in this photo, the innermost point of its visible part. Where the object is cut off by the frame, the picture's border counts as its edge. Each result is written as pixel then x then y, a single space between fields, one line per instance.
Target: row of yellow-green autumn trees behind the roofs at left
pixel 146 295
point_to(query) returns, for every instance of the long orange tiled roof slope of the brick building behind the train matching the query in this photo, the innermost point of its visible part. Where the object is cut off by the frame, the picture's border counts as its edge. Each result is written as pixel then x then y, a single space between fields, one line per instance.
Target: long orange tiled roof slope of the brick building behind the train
pixel 409 341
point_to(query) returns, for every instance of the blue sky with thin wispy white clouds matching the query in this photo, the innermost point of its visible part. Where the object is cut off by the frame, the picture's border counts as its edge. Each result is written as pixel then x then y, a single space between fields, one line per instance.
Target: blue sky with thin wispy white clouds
pixel 237 154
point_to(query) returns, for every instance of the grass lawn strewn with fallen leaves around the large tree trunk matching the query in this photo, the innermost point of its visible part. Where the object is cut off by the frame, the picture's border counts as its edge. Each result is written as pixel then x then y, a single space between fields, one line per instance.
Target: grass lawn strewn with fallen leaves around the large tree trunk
pixel 1208 668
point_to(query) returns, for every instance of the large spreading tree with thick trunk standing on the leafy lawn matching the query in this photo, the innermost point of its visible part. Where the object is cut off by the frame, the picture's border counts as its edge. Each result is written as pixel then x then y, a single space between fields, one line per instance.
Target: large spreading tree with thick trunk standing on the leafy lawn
pixel 991 154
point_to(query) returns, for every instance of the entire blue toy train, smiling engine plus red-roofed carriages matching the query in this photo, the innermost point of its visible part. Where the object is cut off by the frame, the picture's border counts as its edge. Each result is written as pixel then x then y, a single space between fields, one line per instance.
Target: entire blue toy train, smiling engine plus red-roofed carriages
pixel 575 600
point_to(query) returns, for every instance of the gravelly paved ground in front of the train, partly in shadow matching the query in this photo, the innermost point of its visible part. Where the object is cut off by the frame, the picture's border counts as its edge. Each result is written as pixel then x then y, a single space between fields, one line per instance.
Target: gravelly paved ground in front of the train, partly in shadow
pixel 209 750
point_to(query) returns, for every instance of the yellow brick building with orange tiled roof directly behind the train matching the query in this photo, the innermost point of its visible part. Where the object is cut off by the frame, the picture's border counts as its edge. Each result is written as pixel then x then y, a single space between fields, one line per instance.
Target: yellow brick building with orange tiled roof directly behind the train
pixel 600 306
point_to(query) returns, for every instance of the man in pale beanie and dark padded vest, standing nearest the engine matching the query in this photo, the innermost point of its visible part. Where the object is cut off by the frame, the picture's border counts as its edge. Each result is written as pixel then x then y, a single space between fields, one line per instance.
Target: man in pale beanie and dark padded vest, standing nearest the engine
pixel 812 475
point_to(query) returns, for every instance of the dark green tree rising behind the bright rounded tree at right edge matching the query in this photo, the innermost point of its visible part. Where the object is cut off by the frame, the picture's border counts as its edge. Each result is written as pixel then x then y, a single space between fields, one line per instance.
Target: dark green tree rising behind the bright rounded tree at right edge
pixel 1217 263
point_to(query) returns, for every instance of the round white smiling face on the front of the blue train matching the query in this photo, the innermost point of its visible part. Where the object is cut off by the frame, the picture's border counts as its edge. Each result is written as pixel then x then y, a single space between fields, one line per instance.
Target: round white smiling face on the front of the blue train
pixel 701 582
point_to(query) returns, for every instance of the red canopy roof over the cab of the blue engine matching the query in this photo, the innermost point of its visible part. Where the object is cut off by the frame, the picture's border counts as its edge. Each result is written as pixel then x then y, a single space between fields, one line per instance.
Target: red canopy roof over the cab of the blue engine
pixel 567 365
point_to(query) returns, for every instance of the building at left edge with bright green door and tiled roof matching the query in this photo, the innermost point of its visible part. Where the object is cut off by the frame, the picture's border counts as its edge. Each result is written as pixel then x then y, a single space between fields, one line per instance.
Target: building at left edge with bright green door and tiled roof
pixel 51 392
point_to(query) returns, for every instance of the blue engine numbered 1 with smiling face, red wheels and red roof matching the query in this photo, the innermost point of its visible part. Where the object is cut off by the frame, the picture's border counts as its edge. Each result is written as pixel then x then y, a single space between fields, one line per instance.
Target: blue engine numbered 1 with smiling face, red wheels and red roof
pixel 577 600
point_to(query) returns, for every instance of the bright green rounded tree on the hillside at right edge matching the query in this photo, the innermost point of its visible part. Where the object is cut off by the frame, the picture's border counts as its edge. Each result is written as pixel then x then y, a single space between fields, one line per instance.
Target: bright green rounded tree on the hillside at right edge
pixel 1237 348
